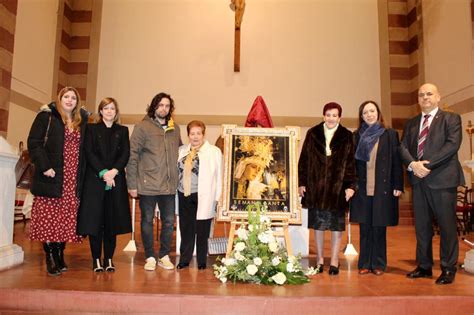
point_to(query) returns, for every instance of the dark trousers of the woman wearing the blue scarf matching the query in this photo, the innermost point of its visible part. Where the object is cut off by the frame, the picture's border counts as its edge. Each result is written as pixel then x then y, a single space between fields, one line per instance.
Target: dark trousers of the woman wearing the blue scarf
pixel 373 242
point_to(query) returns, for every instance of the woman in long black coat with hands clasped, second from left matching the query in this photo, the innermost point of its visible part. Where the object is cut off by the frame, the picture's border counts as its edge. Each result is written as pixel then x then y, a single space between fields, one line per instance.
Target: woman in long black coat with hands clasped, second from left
pixel 105 210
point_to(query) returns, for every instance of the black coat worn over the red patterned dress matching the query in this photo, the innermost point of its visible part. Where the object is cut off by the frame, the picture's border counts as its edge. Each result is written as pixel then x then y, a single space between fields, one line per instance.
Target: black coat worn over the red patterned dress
pixel 50 155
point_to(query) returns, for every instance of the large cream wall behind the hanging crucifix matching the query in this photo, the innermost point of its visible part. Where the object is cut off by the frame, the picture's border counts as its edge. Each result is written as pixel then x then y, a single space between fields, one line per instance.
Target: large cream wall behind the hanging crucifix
pixel 297 54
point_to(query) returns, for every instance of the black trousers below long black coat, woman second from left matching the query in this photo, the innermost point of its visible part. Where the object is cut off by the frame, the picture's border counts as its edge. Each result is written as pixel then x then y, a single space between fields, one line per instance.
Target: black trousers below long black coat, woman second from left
pixel 105 235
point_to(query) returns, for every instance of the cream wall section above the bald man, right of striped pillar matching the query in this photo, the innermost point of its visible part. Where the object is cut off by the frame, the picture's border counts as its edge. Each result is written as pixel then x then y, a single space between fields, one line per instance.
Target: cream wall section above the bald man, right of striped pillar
pixel 448 49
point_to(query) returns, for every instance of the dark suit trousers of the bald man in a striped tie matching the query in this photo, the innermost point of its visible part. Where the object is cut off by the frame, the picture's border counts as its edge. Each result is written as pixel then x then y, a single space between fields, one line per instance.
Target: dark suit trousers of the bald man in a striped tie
pixel 440 204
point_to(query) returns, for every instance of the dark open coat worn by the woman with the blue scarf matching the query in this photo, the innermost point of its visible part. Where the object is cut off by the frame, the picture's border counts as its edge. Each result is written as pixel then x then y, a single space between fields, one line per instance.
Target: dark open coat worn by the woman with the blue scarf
pixel 388 176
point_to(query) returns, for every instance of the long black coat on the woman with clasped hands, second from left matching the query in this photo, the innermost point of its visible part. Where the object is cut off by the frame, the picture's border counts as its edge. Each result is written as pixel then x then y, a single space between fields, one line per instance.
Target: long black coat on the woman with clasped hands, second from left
pixel 92 209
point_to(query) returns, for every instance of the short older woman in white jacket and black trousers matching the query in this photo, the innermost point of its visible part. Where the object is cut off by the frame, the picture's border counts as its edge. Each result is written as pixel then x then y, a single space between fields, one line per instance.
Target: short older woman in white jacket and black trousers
pixel 199 189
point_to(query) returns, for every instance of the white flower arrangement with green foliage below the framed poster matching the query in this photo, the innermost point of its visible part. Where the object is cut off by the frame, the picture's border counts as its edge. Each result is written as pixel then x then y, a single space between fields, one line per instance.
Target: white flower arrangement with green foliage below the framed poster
pixel 257 256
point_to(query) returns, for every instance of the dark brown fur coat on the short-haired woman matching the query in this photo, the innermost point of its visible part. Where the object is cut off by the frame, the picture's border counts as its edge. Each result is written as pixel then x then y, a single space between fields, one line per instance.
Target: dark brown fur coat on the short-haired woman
pixel 326 177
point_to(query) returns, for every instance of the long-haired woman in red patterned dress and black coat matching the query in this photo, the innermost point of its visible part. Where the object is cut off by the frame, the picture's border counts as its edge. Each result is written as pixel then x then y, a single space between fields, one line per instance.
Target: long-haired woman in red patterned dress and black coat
pixel 55 145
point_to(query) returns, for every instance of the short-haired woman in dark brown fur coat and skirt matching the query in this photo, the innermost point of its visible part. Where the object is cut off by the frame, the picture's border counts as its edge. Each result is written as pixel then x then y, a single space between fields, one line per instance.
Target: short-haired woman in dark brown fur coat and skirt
pixel 326 175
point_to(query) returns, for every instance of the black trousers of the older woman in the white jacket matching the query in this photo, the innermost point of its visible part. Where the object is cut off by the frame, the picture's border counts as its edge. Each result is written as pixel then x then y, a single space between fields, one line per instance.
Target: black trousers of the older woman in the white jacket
pixel 192 230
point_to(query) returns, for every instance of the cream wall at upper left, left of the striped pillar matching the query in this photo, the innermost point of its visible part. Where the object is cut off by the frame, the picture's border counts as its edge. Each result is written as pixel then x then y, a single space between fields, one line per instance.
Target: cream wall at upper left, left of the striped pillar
pixel 33 62
